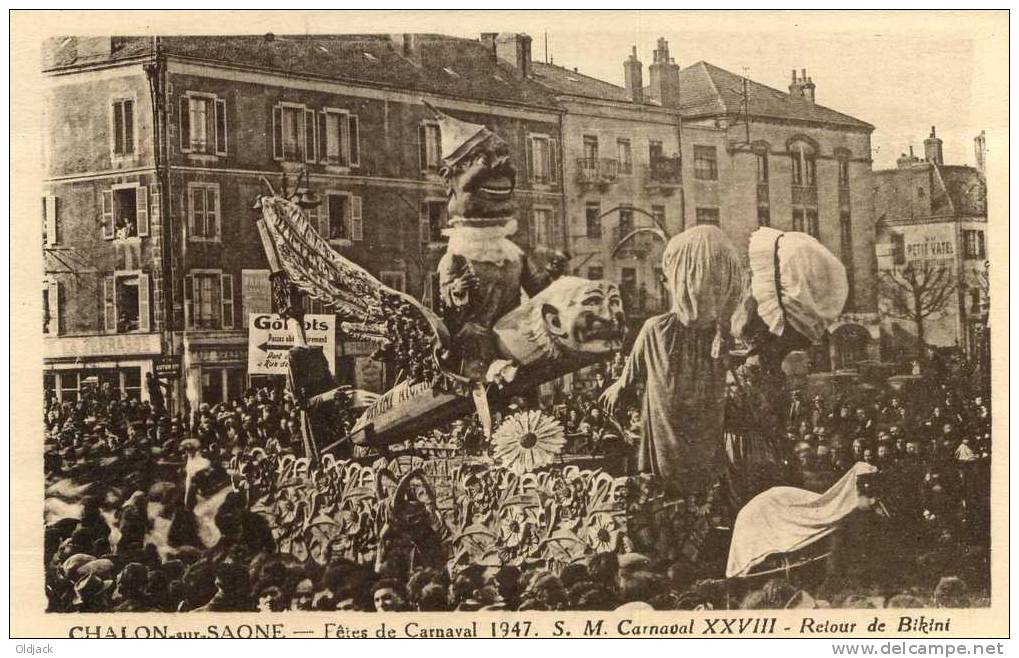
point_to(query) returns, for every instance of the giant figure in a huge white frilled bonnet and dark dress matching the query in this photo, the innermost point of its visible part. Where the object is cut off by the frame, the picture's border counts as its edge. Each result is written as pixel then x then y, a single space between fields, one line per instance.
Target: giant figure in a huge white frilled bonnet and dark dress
pixel 797 290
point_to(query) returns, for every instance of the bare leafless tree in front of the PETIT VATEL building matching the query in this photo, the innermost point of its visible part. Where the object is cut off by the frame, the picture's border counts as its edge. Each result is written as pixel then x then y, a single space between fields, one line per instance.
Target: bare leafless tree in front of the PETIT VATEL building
pixel 918 292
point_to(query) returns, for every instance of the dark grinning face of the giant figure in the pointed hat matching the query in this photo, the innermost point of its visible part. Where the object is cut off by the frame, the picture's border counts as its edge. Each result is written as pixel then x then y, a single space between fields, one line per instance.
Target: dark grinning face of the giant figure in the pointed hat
pixel 480 185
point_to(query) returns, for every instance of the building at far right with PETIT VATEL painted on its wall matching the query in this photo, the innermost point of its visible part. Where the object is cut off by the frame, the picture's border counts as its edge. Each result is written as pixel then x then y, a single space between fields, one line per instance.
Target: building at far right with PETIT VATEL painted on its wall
pixel 932 223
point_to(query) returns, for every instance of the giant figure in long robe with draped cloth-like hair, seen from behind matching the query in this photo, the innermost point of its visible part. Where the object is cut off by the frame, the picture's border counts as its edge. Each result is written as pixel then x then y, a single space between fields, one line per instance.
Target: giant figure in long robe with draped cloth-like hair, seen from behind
pixel 677 358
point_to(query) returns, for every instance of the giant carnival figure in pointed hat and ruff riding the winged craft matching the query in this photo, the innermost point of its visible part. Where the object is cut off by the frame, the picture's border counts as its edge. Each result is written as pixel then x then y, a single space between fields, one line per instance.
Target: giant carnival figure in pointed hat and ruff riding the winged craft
pixel 482 272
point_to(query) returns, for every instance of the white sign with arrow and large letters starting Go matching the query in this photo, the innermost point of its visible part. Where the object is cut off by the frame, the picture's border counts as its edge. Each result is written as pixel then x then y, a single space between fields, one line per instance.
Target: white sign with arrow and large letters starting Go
pixel 270 340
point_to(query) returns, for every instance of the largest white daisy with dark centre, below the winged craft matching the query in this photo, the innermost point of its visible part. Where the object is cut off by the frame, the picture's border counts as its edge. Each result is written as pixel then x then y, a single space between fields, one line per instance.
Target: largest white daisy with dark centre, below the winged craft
pixel 528 441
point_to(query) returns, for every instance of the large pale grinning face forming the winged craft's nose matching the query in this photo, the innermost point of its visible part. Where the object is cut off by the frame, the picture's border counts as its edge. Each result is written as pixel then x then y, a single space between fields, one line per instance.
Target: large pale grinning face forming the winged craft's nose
pixel 578 316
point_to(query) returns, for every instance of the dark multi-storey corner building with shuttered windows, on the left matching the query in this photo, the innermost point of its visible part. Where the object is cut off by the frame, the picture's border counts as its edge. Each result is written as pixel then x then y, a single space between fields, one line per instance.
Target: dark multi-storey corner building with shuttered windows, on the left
pixel 155 150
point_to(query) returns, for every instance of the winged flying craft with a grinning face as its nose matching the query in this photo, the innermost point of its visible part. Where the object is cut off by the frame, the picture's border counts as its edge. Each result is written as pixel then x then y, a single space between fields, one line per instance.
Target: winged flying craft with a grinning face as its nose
pixel 571 324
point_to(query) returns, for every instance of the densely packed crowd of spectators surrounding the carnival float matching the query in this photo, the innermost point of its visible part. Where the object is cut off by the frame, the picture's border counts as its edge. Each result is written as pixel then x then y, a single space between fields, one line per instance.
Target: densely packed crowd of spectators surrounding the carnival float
pixel 152 512
